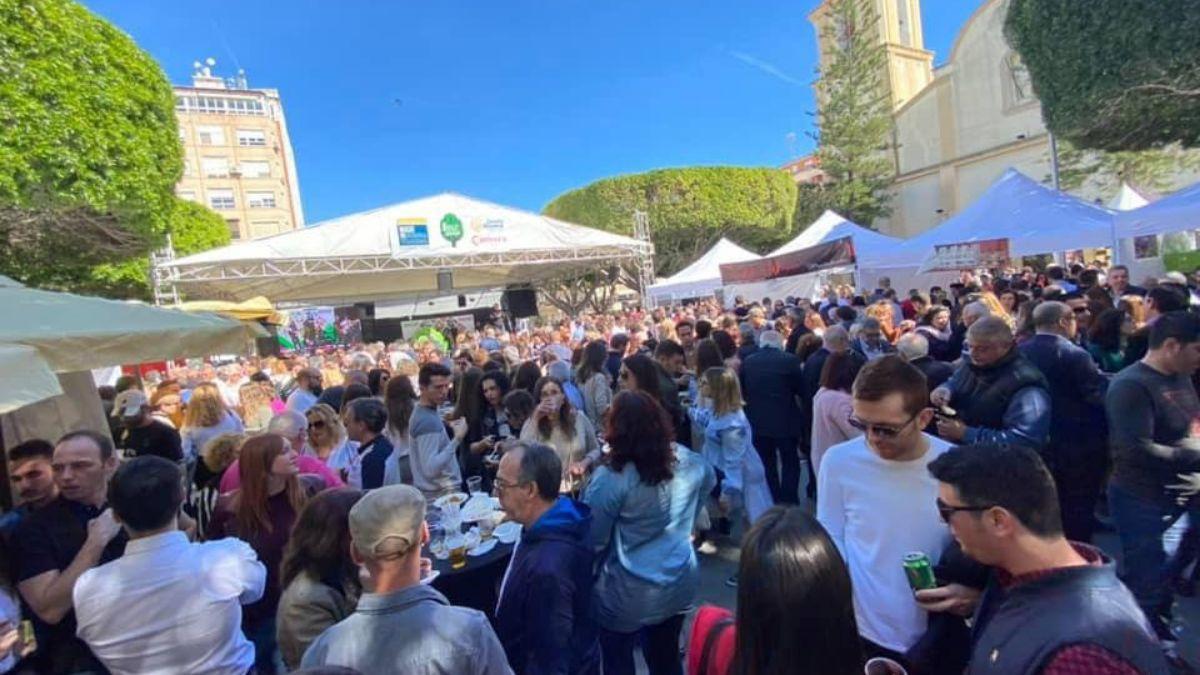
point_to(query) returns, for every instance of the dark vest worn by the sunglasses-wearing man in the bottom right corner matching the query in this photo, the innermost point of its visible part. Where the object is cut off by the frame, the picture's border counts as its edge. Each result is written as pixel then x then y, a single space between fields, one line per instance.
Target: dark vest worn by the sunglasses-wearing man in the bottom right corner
pixel 1021 630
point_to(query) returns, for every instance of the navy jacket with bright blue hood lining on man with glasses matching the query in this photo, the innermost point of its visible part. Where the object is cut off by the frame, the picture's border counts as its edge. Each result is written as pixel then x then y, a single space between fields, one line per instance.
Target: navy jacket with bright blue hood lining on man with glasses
pixel 544 617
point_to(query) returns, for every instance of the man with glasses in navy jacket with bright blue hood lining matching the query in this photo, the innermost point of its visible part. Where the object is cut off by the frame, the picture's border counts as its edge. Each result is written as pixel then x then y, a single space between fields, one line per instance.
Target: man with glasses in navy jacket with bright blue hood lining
pixel 544 616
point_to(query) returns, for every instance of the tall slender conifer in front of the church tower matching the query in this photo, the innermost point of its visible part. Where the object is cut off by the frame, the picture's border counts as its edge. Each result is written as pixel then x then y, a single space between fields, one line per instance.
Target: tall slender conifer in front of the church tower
pixel 855 120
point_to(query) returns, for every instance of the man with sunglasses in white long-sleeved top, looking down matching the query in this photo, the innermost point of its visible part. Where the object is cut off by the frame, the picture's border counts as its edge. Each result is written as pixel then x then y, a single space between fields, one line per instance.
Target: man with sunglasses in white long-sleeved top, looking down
pixel 879 503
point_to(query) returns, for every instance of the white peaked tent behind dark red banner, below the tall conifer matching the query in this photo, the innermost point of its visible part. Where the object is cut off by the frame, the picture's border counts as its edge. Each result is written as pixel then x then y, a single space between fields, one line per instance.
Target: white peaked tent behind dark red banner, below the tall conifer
pixel 869 247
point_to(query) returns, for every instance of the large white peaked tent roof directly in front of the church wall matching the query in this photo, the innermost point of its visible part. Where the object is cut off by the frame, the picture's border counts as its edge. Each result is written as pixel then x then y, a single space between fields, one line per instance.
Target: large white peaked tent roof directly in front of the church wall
pixel 1034 218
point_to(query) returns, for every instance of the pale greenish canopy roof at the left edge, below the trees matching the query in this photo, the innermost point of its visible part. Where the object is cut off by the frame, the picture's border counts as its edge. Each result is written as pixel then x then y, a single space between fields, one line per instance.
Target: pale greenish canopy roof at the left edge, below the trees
pixel 67 333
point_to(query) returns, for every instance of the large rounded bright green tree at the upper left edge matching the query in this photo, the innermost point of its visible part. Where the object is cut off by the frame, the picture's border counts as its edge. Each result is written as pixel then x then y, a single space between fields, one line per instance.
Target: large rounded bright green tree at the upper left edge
pixel 89 148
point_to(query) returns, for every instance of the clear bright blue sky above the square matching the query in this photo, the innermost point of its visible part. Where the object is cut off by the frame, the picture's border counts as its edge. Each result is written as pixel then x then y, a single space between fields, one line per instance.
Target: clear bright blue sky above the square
pixel 513 101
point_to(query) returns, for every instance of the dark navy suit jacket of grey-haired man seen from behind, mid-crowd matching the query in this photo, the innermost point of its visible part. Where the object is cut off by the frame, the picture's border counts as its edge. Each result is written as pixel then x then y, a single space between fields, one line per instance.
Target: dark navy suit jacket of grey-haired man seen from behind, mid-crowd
pixel 772 386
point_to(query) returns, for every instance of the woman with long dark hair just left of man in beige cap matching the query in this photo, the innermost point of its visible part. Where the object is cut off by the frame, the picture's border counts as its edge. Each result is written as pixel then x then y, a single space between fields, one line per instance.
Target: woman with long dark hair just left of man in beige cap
pixel 321 583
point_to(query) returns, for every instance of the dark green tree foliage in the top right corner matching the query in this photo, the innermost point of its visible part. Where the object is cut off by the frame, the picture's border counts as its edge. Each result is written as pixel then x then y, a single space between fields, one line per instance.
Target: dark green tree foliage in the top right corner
pixel 1113 75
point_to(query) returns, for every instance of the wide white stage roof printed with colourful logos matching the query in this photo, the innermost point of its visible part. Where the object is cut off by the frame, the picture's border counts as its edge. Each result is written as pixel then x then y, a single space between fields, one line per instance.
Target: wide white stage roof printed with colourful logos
pixel 398 252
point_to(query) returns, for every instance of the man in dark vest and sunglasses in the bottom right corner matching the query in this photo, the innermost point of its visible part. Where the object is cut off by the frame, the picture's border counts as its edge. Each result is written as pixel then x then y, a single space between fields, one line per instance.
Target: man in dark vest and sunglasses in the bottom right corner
pixel 1052 607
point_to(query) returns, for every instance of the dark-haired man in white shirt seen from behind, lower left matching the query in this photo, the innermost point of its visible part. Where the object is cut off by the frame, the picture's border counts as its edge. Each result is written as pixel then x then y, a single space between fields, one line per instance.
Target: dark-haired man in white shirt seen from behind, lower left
pixel 167 606
